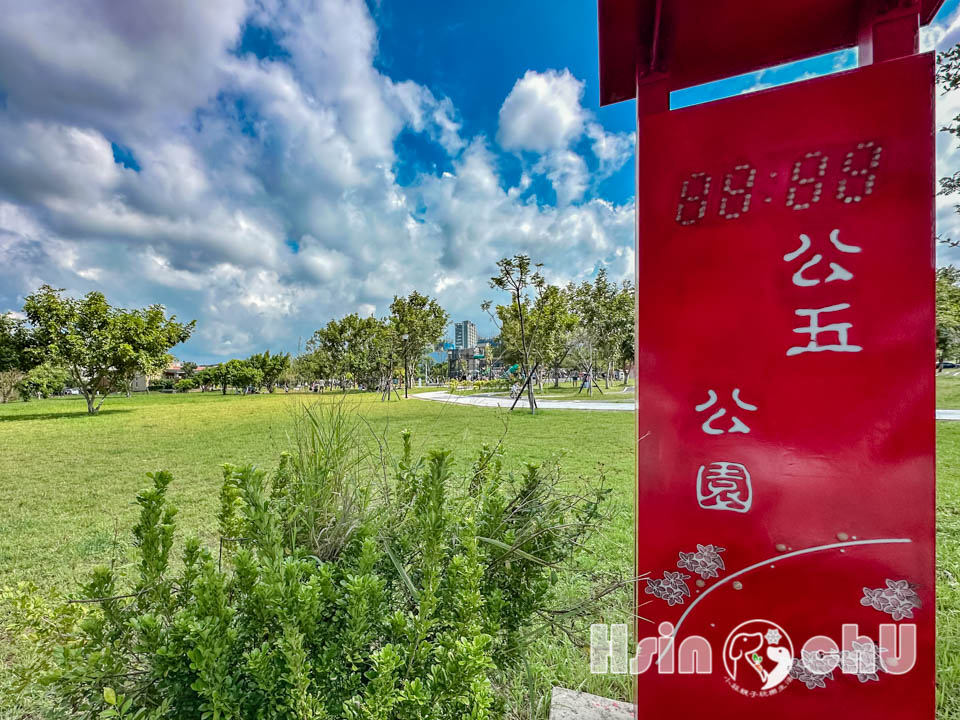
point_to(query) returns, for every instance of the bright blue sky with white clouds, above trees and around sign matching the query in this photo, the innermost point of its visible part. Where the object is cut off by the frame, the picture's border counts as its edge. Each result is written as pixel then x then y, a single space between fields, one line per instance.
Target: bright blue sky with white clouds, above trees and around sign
pixel 262 166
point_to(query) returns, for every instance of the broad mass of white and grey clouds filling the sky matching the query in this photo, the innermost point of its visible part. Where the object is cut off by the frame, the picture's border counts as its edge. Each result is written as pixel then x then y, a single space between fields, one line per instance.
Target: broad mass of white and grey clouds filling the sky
pixel 266 201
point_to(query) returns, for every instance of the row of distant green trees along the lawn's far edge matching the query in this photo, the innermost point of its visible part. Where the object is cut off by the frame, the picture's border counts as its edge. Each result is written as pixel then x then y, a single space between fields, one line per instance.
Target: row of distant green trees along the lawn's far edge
pixel 86 343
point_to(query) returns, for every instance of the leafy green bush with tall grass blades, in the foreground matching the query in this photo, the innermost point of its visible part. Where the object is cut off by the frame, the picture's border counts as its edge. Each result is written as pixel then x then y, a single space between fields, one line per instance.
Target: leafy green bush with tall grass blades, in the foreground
pixel 330 595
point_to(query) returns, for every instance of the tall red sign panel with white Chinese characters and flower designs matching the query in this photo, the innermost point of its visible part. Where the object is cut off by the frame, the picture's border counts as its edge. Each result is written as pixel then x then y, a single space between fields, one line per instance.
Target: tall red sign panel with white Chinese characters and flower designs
pixel 806 456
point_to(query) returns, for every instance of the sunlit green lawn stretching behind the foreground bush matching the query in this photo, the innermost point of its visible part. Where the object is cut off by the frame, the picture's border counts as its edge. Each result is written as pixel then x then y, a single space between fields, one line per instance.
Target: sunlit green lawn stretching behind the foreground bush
pixel 68 482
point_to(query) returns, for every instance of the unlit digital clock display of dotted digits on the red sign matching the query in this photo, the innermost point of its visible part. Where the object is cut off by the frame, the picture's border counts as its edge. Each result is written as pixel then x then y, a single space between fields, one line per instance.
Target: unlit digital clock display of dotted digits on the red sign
pixel 817 176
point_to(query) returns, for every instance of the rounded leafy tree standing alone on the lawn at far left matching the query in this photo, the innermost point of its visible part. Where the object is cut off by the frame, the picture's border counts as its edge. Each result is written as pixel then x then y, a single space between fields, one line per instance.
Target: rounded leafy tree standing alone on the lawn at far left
pixel 101 346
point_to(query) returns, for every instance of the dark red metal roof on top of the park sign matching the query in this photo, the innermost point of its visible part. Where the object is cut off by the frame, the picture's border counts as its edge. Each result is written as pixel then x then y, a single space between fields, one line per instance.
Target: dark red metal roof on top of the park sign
pixel 704 40
